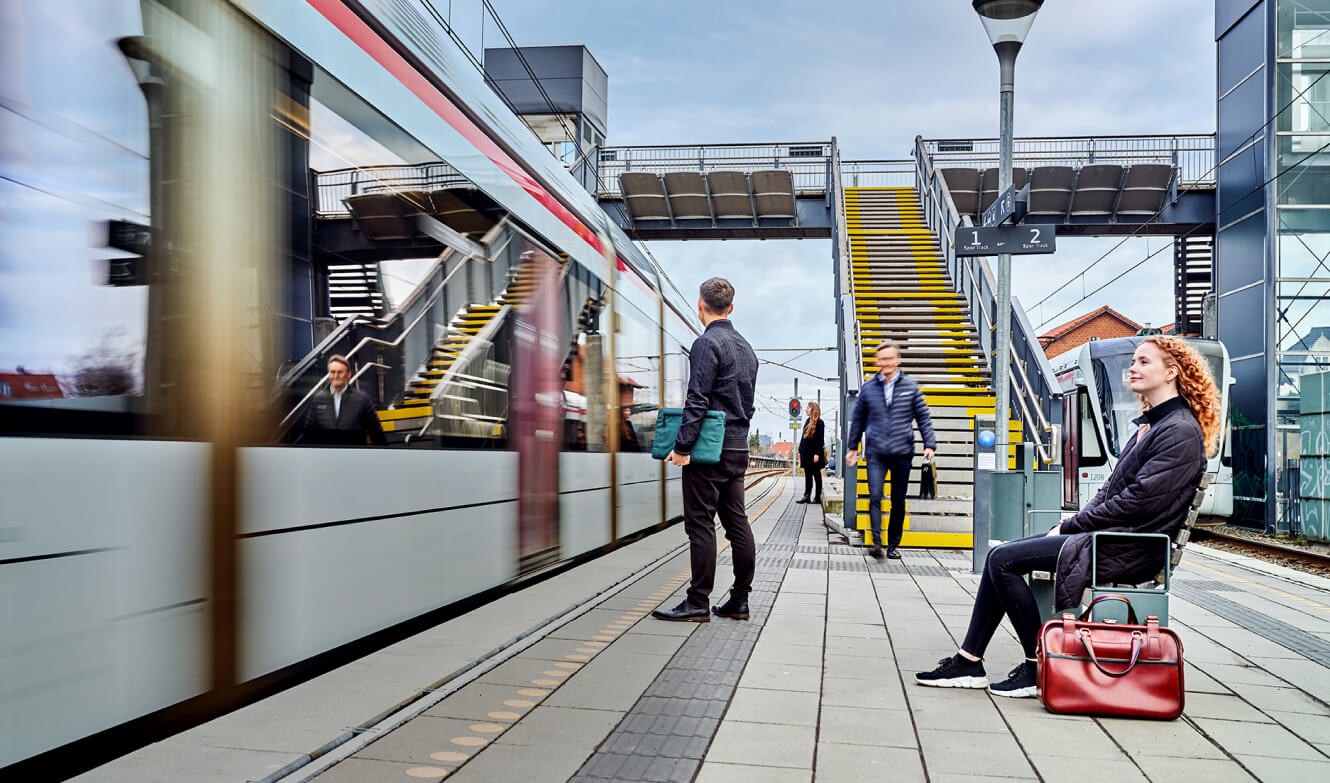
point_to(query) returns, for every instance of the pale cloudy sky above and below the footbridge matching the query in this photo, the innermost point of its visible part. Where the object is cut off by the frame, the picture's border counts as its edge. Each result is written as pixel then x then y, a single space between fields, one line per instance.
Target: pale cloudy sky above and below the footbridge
pixel 876 75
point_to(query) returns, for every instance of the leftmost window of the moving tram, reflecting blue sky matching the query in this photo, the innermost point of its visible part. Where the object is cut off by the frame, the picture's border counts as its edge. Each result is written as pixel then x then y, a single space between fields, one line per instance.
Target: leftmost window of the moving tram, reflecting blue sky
pixel 80 158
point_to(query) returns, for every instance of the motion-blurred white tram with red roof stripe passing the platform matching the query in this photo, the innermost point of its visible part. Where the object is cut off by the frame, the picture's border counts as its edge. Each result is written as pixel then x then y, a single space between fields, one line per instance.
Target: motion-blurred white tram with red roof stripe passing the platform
pixel 182 547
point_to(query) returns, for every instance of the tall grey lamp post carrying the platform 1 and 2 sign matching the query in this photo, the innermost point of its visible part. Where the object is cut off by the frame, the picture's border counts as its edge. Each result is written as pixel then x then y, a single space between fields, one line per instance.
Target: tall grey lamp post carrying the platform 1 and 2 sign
pixel 1007 23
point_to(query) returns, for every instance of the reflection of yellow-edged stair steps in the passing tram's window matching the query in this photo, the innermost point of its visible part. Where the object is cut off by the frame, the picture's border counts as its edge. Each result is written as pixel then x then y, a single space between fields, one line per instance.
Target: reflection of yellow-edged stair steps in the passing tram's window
pixel 416 410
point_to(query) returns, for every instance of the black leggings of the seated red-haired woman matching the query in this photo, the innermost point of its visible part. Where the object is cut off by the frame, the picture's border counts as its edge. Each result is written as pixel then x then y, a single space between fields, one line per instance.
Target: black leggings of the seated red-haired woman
pixel 1003 591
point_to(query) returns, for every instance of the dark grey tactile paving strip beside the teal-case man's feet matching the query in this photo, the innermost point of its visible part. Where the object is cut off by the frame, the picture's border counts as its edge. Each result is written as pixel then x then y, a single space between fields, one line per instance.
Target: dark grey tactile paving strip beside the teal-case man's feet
pixel 667 733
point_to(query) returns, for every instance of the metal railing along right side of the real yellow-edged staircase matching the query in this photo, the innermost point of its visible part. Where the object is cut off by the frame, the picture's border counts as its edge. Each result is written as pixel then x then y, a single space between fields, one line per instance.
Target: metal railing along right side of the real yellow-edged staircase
pixel 1035 390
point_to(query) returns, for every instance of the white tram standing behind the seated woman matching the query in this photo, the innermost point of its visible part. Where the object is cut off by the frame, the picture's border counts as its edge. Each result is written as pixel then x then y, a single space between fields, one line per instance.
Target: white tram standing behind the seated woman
pixel 1098 411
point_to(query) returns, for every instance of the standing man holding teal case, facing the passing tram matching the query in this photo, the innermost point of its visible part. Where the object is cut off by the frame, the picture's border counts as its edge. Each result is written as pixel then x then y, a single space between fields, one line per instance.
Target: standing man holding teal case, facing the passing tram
pixel 722 378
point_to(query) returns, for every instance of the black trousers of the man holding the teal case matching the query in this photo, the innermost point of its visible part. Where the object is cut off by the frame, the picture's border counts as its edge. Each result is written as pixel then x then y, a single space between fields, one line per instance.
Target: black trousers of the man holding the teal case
pixel 711 491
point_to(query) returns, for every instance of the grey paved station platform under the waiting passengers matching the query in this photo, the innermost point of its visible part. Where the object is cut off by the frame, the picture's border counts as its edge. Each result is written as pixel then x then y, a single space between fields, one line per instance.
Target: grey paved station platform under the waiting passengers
pixel 819 685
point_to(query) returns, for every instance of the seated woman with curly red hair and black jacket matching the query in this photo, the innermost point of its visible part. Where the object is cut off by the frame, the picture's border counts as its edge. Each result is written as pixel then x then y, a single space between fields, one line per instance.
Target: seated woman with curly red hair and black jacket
pixel 1150 493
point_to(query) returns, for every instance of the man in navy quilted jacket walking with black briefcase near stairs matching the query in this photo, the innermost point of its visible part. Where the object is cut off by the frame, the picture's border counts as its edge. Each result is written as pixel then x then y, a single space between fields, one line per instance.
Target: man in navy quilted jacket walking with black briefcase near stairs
pixel 882 415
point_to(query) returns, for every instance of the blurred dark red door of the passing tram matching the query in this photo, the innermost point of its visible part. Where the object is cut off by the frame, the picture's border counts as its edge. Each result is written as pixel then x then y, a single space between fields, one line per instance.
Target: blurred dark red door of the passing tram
pixel 538 409
